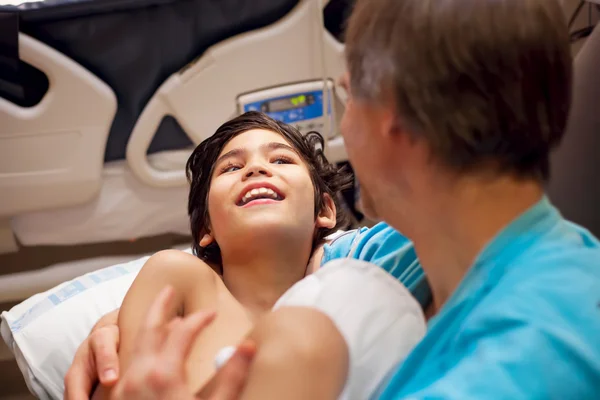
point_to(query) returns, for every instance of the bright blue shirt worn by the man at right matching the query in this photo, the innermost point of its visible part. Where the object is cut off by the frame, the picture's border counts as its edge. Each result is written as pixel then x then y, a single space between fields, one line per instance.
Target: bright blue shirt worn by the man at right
pixel 523 324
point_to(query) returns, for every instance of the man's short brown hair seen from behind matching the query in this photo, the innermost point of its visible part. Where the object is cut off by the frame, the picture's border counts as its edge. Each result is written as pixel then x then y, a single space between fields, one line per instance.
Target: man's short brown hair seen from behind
pixel 484 82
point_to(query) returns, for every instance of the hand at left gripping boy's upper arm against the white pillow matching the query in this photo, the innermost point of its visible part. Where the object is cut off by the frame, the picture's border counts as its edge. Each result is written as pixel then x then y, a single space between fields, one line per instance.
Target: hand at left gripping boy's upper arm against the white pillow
pixel 96 360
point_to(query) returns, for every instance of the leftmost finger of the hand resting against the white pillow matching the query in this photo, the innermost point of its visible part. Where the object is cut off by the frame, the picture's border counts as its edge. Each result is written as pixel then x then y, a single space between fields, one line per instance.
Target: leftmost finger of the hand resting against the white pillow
pixel 82 376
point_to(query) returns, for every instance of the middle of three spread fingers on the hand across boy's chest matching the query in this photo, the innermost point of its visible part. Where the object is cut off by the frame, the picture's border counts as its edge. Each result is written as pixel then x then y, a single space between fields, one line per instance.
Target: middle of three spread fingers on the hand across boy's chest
pixel 183 336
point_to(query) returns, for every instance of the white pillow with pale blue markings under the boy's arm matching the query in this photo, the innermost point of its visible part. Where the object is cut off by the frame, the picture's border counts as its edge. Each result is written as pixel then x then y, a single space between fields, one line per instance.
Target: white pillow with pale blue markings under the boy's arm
pixel 44 331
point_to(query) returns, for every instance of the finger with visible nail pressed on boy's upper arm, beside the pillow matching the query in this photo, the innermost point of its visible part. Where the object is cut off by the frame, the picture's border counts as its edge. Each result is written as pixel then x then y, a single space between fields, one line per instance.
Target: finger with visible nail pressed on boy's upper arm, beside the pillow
pixel 104 344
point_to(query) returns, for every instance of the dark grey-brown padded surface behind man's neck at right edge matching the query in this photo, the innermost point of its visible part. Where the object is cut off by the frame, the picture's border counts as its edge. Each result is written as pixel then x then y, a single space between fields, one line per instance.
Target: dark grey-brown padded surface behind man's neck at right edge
pixel 574 185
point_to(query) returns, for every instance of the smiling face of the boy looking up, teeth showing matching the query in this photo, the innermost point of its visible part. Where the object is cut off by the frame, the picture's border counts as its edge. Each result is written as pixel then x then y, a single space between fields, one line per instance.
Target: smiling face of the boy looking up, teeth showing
pixel 261 187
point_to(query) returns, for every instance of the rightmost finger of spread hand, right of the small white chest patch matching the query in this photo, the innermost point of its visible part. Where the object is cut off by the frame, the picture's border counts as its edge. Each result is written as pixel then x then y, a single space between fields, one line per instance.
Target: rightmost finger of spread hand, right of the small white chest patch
pixel 231 379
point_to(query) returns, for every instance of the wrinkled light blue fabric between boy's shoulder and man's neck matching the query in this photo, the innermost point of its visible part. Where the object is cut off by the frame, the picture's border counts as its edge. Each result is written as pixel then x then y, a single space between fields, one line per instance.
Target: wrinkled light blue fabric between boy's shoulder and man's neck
pixel 387 248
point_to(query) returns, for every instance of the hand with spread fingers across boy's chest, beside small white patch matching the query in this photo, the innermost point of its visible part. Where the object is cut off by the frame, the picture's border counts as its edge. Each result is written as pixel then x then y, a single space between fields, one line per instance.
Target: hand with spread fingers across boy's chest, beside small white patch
pixel 158 366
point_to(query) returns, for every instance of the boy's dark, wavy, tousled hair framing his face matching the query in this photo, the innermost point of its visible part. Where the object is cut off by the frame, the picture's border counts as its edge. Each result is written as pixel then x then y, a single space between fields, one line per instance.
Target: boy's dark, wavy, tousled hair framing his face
pixel 326 177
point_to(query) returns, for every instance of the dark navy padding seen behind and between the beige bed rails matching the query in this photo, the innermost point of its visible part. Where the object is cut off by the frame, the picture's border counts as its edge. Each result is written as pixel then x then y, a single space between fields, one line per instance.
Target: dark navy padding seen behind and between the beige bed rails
pixel 135 45
